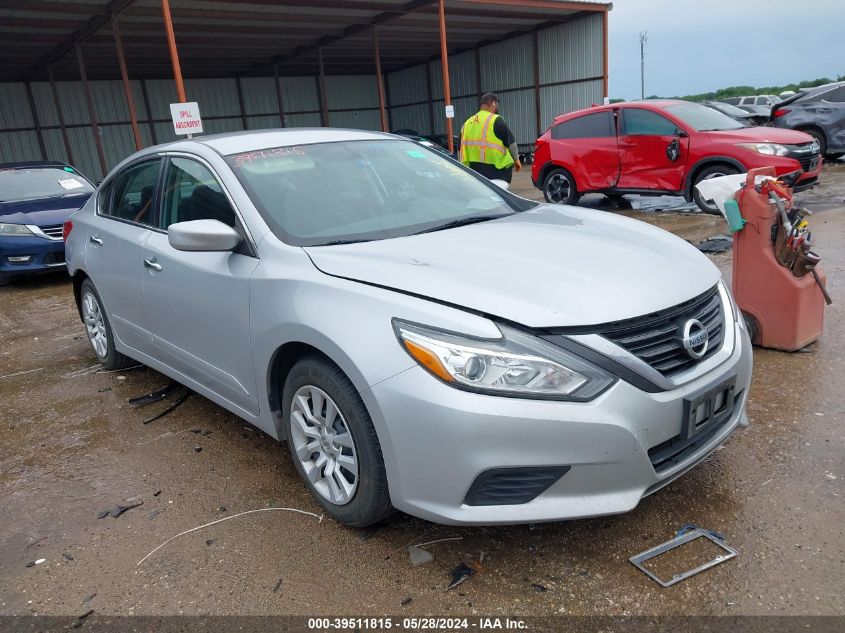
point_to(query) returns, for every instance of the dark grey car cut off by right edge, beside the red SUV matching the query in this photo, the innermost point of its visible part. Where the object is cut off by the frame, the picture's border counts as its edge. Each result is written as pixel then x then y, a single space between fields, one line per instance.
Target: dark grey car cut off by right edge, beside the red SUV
pixel 819 112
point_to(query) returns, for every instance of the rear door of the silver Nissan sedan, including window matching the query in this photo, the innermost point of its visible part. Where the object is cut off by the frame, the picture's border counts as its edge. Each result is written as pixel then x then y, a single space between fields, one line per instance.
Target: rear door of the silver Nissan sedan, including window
pixel 124 220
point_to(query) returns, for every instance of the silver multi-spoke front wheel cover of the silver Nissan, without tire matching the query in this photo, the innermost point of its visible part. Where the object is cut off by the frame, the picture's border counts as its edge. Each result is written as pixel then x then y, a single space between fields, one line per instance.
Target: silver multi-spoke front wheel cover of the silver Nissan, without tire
pixel 323 444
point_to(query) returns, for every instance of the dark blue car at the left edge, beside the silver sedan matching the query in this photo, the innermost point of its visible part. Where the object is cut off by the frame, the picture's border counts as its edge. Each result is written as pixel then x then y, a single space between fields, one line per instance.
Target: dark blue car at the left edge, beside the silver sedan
pixel 35 200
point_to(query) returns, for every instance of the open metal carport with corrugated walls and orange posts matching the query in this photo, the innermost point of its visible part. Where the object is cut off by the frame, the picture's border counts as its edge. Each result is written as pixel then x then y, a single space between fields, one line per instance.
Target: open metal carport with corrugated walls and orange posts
pixel 90 81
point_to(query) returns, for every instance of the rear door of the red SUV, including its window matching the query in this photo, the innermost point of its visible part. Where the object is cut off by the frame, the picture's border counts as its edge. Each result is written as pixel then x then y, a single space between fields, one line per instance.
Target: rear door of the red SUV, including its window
pixel 587 147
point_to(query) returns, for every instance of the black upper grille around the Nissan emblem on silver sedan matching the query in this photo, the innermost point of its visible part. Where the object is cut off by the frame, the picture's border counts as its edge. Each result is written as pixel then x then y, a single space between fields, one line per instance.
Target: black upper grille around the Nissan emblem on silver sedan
pixel 656 338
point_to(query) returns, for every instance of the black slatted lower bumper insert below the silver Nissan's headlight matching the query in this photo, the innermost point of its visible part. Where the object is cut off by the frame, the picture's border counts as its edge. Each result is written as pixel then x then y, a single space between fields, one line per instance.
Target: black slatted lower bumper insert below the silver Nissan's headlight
pixel 512 486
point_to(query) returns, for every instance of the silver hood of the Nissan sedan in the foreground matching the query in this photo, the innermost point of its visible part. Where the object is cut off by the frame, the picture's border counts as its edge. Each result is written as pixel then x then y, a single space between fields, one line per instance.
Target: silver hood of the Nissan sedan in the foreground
pixel 552 266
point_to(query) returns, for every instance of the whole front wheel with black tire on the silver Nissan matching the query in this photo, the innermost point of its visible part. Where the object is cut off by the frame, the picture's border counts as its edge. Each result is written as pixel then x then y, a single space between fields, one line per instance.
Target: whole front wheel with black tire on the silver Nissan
pixel 344 445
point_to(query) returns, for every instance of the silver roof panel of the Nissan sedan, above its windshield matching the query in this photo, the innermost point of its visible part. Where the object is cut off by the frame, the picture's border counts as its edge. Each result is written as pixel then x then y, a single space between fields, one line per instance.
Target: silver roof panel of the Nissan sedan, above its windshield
pixel 255 140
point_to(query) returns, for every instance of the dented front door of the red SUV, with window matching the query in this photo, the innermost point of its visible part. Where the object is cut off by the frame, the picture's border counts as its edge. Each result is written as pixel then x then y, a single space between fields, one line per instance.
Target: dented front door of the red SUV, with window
pixel 653 151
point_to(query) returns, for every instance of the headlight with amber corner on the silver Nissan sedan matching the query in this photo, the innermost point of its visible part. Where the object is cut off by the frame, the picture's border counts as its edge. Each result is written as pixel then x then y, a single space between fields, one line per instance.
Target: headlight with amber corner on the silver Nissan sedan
pixel 517 364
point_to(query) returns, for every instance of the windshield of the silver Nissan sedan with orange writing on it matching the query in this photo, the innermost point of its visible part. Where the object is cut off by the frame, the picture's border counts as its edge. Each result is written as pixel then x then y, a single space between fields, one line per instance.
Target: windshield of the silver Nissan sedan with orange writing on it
pixel 354 191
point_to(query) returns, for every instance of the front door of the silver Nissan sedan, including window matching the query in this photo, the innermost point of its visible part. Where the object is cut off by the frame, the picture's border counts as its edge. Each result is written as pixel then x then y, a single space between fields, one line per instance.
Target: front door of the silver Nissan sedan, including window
pixel 197 303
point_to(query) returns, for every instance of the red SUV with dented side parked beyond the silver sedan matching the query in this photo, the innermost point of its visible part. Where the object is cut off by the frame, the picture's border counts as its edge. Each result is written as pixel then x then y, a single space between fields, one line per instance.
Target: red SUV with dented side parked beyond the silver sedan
pixel 660 148
